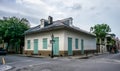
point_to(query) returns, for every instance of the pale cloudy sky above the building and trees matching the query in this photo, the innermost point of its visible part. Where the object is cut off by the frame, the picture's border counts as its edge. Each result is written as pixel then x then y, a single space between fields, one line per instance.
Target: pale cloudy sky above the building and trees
pixel 85 13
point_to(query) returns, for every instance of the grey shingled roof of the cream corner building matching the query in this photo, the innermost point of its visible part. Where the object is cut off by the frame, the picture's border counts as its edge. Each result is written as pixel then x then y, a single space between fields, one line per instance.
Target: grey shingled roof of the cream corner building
pixel 59 24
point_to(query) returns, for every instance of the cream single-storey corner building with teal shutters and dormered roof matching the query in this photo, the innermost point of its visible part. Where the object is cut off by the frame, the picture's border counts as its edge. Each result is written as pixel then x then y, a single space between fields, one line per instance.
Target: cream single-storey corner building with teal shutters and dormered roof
pixel 69 40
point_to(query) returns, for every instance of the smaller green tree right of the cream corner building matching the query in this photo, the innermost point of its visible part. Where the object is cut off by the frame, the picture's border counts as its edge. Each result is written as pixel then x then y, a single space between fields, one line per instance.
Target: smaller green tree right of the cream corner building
pixel 101 30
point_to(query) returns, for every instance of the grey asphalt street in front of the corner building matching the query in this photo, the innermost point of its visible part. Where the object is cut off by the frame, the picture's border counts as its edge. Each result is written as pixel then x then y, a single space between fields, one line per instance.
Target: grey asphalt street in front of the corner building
pixel 105 62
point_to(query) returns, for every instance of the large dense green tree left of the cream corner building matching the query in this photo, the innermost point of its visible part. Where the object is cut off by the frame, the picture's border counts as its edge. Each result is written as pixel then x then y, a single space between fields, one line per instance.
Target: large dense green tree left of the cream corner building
pixel 12 32
